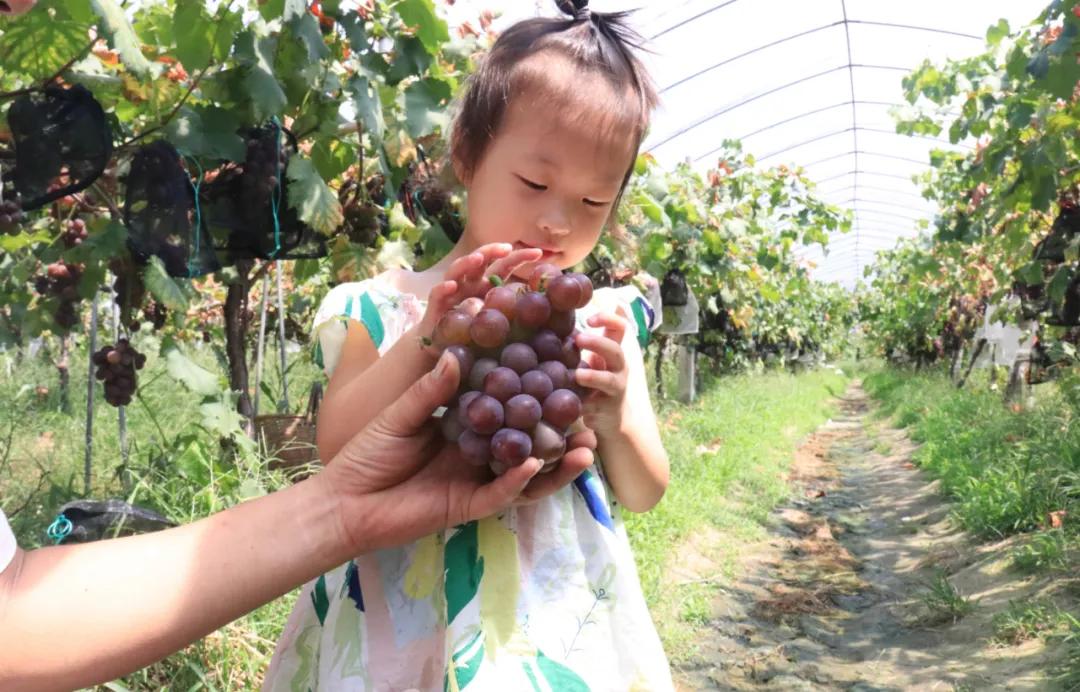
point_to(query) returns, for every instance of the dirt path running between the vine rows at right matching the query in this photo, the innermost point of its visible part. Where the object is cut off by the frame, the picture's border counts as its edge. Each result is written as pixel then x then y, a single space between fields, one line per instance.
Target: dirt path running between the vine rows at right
pixel 836 599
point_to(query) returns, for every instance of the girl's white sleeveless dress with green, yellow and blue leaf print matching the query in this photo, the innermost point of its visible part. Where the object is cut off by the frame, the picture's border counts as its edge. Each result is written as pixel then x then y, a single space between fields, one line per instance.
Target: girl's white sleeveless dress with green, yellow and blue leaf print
pixel 542 598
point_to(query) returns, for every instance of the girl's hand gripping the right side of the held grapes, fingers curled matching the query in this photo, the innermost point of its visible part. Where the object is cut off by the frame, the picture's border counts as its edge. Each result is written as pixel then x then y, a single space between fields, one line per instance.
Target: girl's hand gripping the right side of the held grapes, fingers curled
pixel 606 375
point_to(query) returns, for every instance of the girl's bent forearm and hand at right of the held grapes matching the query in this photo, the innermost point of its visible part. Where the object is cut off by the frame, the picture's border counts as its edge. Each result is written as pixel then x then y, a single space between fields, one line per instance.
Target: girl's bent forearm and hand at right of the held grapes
pixel 620 413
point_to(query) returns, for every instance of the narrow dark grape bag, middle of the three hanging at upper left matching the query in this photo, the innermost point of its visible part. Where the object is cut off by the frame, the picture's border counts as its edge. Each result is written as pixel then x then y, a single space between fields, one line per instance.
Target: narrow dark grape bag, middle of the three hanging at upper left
pixel 161 214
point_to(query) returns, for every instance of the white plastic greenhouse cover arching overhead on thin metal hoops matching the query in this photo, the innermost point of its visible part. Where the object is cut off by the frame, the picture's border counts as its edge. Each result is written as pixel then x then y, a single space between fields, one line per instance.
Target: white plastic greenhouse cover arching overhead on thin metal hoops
pixel 803 83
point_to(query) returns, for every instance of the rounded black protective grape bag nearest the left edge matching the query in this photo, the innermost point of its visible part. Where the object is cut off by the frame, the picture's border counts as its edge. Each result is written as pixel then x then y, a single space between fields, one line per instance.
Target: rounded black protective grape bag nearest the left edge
pixel 63 144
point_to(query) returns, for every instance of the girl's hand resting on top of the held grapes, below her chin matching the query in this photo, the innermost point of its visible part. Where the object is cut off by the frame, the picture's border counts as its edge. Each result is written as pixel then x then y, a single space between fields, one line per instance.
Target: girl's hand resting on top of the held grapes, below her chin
pixel 469 277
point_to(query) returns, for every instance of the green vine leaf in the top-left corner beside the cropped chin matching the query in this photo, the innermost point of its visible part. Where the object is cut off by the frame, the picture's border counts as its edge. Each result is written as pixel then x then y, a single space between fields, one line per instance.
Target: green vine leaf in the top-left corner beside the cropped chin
pixel 37 46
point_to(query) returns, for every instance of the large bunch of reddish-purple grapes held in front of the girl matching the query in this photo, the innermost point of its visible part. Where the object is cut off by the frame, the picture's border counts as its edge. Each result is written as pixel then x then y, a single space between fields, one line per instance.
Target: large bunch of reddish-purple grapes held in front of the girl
pixel 518 357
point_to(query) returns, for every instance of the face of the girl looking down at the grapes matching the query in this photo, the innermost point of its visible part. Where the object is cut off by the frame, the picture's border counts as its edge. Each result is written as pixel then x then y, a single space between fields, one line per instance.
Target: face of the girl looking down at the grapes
pixel 549 180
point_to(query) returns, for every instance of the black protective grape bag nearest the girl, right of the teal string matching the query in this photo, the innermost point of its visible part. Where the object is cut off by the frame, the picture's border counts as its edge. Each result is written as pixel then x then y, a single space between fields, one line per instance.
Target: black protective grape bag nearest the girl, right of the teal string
pixel 248 206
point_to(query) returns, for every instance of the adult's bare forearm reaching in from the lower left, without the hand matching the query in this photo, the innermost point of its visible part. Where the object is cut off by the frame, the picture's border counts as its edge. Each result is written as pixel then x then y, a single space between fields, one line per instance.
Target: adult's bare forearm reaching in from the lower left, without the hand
pixel 139 600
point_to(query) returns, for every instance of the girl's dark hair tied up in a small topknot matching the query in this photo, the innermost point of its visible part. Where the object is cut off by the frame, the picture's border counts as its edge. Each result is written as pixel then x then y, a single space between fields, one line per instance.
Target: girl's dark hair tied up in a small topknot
pixel 601 44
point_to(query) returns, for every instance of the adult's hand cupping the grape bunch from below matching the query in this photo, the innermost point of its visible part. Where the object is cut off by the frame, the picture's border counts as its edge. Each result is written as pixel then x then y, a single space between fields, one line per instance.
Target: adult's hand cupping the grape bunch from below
pixel 398 480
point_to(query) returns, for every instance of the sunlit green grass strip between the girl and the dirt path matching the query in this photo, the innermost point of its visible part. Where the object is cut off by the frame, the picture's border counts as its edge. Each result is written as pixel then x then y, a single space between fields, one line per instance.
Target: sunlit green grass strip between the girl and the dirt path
pixel 730 454
